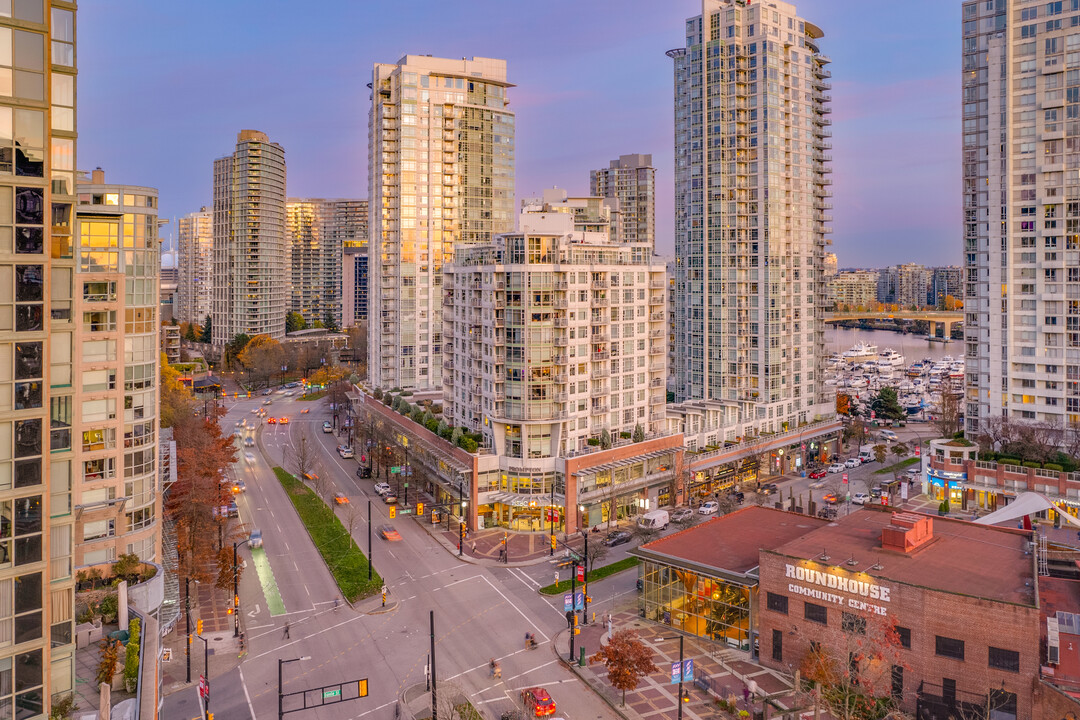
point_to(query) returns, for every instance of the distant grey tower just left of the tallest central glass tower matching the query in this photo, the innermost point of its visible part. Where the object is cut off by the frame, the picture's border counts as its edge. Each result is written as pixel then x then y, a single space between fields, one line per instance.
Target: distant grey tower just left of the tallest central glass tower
pixel 632 181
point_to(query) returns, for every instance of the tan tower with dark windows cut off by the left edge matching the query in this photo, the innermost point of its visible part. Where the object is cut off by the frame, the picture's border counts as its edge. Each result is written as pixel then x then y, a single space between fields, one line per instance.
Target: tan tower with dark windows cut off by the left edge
pixel 39 396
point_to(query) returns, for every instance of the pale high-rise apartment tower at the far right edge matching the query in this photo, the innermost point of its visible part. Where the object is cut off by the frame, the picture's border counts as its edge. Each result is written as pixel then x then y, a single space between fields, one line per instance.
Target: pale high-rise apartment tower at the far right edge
pixel 1021 102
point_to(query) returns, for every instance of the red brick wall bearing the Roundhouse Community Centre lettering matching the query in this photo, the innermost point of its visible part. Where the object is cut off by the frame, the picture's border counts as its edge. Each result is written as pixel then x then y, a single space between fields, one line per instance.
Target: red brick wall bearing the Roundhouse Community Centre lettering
pixel 928 614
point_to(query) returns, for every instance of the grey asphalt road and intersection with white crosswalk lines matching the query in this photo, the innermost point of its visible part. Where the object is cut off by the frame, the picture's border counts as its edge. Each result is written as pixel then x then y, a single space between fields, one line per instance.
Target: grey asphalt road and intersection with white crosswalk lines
pixel 480 613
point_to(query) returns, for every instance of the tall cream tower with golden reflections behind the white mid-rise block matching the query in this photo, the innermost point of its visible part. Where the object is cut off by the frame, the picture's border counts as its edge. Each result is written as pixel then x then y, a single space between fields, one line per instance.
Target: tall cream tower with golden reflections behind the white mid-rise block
pixel 441 171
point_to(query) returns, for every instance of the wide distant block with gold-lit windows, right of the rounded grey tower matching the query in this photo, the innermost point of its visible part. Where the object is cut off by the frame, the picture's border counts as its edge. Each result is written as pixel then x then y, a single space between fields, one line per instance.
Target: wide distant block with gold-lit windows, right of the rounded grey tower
pixel 318 232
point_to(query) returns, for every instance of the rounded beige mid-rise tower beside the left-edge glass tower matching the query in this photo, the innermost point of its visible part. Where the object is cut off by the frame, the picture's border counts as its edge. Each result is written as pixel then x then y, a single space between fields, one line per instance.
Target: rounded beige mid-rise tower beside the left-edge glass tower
pixel 116 493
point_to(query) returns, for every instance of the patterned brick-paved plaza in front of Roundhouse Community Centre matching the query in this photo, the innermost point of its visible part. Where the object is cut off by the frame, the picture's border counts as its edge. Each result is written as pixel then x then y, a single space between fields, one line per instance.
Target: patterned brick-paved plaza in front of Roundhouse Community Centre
pixel 725 671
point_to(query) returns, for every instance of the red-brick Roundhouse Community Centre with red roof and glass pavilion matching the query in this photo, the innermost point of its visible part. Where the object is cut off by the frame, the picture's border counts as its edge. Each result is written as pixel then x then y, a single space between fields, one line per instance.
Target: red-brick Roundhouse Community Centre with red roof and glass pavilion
pixel 942 615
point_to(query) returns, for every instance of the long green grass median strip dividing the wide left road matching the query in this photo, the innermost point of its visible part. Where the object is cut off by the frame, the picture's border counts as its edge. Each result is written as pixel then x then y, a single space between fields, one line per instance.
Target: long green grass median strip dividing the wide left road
pixel 337 548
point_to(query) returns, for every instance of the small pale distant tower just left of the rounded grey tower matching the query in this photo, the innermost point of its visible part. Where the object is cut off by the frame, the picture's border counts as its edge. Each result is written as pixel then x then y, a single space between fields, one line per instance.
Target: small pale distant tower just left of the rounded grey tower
pixel 195 242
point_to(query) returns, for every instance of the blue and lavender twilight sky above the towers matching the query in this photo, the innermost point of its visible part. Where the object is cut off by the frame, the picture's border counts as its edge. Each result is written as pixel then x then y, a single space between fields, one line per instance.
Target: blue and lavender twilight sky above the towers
pixel 166 87
